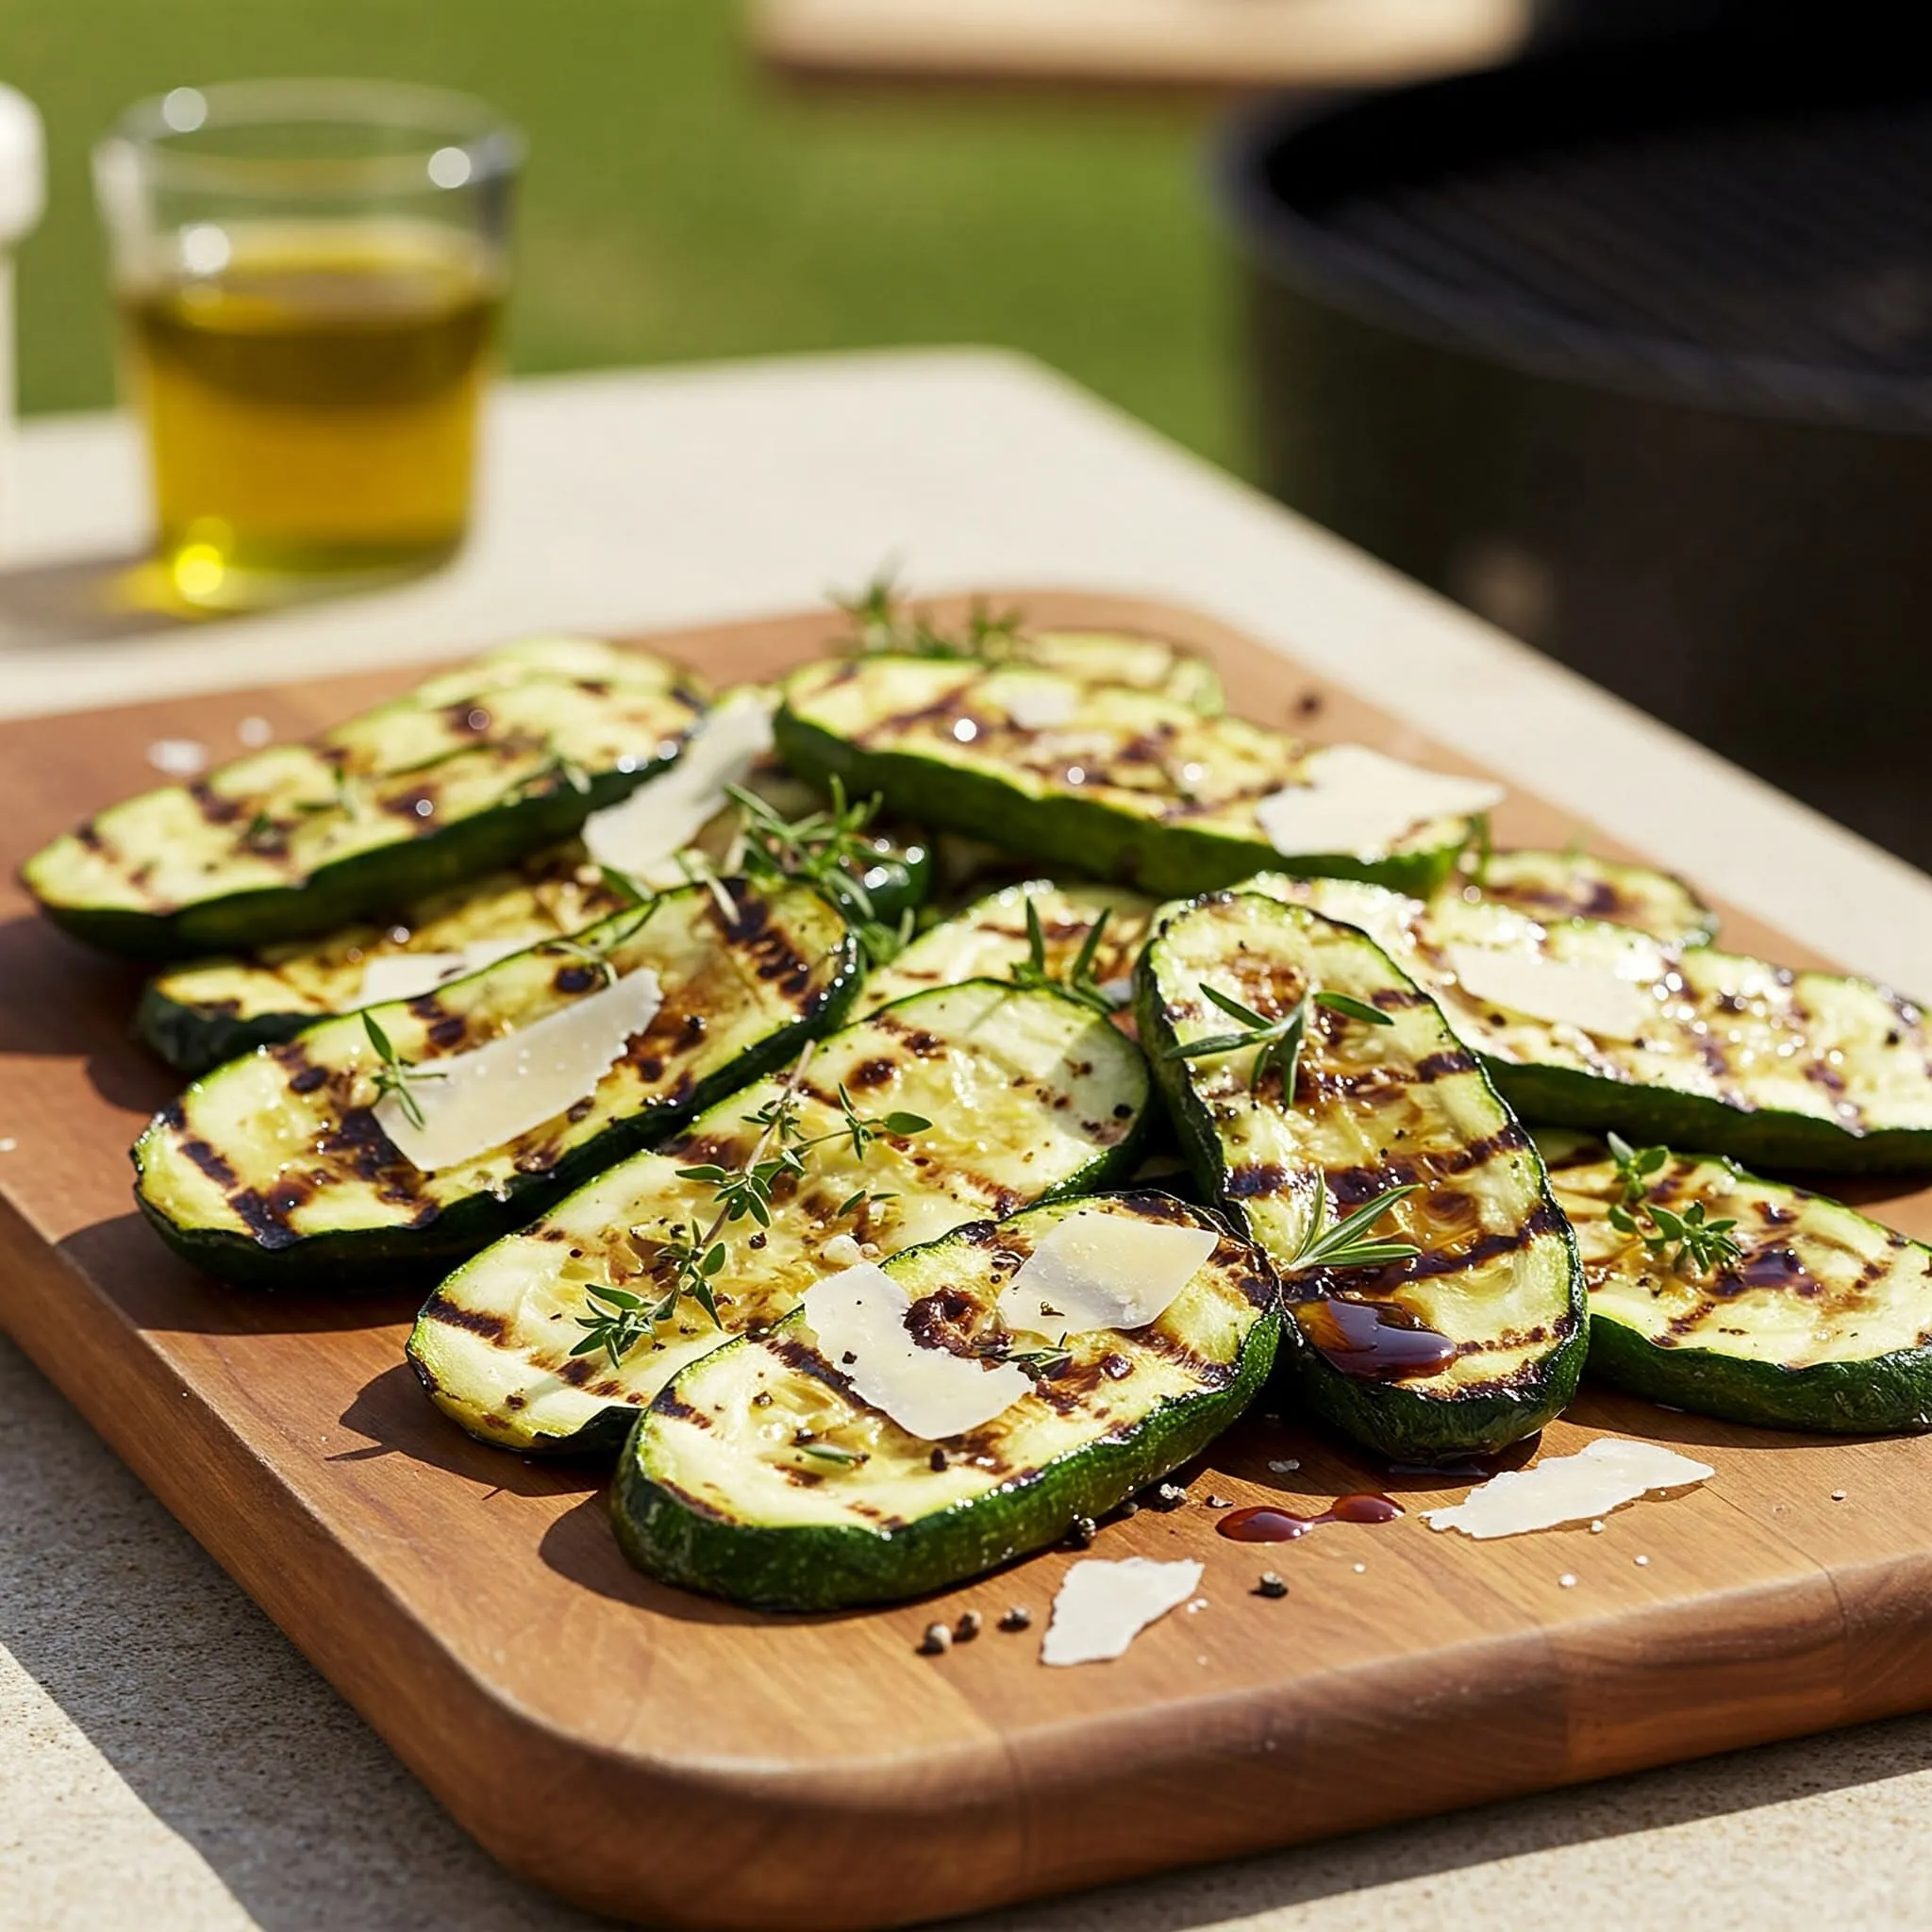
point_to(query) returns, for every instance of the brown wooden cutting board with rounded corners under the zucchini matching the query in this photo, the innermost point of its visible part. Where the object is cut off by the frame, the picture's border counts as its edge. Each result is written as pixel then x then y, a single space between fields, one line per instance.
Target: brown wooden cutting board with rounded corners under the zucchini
pixel 671 1759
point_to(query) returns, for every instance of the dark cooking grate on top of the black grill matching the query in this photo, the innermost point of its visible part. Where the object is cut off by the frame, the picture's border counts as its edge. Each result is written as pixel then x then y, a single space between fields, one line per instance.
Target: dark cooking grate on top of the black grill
pixel 1786 246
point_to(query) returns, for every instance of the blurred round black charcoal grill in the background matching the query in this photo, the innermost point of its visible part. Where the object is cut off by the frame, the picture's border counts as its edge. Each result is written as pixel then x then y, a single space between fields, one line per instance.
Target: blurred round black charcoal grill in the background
pixel 1632 351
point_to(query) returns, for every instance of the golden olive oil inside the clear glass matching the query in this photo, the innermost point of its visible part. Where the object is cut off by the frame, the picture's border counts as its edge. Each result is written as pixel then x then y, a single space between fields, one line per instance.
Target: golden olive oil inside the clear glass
pixel 312 401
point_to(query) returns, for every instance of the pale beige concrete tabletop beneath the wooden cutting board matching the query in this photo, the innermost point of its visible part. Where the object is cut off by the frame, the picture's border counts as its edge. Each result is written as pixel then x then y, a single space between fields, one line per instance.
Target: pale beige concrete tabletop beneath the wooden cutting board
pixel 169 1761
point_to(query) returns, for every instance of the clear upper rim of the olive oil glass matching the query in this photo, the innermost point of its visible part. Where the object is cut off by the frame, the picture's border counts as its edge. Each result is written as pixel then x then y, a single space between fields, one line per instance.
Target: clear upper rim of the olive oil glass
pixel 447 121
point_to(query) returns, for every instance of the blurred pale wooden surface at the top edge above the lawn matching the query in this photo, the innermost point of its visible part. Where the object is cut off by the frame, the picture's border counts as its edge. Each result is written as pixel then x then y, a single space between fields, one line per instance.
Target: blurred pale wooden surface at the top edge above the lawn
pixel 1141 43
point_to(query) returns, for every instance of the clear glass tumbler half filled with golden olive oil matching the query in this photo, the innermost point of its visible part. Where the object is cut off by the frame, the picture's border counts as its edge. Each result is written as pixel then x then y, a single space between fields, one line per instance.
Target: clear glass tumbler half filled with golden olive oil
pixel 308 277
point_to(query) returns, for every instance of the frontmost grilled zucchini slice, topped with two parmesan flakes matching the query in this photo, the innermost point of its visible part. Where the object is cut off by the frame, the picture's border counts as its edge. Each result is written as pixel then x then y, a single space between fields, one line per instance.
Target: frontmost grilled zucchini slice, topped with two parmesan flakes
pixel 762 1477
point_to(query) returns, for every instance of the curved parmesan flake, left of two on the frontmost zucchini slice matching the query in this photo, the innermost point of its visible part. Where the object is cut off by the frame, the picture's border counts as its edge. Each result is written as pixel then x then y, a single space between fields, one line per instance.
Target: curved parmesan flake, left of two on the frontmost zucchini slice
pixel 859 1319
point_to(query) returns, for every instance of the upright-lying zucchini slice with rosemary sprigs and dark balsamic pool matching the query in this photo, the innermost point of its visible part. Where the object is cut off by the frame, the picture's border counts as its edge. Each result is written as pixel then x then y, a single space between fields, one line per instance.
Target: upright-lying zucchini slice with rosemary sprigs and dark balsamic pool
pixel 1477 1340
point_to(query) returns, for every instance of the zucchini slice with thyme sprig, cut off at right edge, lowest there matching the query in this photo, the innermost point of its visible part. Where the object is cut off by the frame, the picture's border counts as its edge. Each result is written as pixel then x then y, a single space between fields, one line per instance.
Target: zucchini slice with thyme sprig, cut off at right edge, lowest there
pixel 1821 1322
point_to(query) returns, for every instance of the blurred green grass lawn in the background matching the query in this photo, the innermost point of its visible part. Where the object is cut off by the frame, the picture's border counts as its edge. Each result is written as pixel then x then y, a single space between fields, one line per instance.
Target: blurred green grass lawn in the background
pixel 685 206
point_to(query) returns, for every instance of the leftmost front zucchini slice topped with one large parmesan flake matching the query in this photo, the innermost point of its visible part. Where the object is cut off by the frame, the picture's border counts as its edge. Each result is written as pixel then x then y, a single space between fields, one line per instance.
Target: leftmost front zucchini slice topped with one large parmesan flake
pixel 273 1172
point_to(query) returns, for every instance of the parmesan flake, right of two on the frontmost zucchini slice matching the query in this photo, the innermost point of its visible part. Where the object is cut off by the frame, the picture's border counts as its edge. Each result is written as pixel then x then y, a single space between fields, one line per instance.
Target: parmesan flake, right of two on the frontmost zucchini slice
pixel 1104 1270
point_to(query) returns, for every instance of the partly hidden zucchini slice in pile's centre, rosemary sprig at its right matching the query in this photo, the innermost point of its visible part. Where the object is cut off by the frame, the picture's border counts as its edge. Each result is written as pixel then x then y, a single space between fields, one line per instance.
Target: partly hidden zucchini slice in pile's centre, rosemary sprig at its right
pixel 992 936
